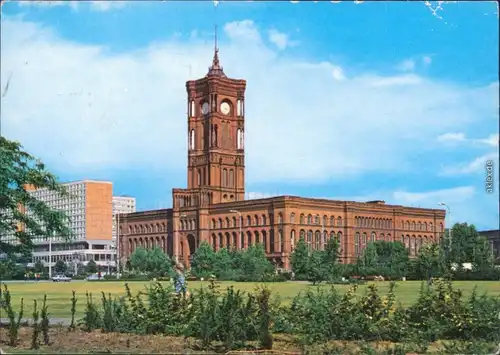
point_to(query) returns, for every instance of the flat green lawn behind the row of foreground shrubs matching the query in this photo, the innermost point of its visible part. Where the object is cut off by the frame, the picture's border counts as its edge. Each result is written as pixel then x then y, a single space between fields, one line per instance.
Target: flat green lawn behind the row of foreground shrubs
pixel 59 294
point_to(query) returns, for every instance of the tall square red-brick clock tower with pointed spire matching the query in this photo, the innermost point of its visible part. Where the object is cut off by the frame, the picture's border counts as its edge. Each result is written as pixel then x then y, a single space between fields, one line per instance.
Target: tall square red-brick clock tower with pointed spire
pixel 216 130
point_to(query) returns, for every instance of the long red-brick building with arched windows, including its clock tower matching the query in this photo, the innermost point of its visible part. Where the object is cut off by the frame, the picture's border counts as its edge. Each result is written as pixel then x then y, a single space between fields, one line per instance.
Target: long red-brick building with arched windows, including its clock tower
pixel 213 207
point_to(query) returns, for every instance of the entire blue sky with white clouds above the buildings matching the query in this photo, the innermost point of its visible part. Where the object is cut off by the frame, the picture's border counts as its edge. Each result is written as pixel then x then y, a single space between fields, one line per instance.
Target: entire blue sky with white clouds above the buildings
pixel 395 101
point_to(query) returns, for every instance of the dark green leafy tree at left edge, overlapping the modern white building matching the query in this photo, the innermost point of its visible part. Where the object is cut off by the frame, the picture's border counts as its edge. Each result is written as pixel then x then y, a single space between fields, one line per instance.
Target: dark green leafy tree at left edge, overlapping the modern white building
pixel 18 170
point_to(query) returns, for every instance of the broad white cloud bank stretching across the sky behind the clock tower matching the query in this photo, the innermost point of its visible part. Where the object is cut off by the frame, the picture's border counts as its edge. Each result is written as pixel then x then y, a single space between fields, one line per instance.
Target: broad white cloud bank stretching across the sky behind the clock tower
pixel 128 109
